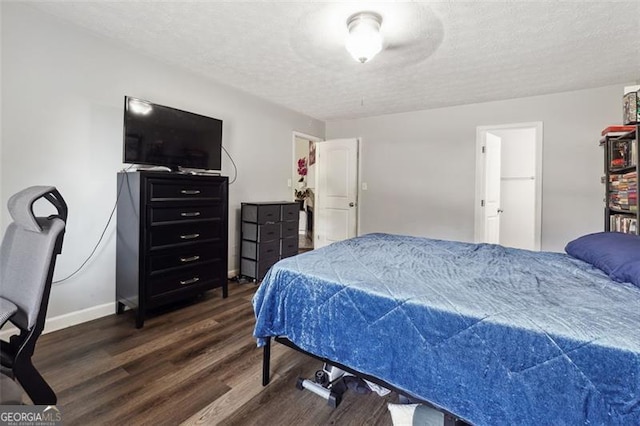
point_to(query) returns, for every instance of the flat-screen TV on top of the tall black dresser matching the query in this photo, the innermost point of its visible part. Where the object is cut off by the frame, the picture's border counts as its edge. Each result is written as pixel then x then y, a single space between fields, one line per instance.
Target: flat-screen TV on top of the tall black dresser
pixel 162 136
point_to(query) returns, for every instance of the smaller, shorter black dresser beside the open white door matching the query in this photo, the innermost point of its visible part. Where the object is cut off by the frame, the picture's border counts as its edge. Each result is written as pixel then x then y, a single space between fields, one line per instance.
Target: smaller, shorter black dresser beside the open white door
pixel 269 232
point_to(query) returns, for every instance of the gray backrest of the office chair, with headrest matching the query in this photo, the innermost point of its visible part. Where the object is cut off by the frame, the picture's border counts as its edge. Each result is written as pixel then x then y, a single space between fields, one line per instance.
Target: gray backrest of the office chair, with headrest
pixel 28 252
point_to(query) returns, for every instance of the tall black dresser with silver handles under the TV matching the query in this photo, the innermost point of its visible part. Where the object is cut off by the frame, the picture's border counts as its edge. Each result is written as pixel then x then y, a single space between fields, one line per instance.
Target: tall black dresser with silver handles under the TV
pixel 171 238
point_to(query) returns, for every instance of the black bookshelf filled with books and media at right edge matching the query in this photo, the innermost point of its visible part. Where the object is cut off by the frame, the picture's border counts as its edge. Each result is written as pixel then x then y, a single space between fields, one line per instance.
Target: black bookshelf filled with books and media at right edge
pixel 621 159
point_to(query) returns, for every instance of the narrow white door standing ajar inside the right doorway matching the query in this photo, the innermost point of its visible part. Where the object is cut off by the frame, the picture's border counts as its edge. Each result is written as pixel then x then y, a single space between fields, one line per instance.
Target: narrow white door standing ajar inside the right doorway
pixel 492 189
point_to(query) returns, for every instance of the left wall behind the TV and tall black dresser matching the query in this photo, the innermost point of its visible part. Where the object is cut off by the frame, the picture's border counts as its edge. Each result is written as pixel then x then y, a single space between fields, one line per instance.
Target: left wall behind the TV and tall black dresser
pixel 63 96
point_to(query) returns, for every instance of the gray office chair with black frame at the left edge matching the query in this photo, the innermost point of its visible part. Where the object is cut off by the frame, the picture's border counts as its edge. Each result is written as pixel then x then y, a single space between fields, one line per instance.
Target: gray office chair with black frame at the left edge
pixel 27 260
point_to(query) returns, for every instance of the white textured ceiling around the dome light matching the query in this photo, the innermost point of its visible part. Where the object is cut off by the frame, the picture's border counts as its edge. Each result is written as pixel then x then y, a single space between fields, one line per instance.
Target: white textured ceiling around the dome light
pixel 437 53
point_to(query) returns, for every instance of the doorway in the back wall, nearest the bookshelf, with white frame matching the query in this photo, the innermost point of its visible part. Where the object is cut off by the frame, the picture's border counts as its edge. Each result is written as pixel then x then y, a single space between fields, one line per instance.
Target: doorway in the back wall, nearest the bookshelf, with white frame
pixel 508 209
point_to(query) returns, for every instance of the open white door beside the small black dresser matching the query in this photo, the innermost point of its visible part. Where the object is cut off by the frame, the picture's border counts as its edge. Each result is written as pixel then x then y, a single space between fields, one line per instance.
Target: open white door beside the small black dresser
pixel 336 208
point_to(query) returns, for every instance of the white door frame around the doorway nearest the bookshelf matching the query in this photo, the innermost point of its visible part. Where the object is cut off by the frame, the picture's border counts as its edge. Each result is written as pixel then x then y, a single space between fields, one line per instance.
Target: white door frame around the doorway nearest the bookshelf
pixel 481 132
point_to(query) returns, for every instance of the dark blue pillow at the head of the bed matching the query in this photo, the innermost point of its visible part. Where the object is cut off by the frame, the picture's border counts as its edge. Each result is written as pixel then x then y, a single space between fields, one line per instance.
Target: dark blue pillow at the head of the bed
pixel 615 253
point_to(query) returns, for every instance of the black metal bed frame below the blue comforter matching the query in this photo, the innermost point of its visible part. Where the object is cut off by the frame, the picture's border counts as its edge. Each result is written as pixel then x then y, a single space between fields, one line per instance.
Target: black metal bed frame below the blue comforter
pixel 449 419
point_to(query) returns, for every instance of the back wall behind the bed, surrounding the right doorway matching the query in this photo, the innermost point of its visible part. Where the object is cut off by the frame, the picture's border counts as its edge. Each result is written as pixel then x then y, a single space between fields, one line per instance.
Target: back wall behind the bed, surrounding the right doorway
pixel 420 166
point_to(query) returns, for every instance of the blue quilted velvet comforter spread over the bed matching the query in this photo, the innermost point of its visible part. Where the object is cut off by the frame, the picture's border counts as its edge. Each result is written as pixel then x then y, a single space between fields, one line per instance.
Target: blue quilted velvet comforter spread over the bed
pixel 497 336
